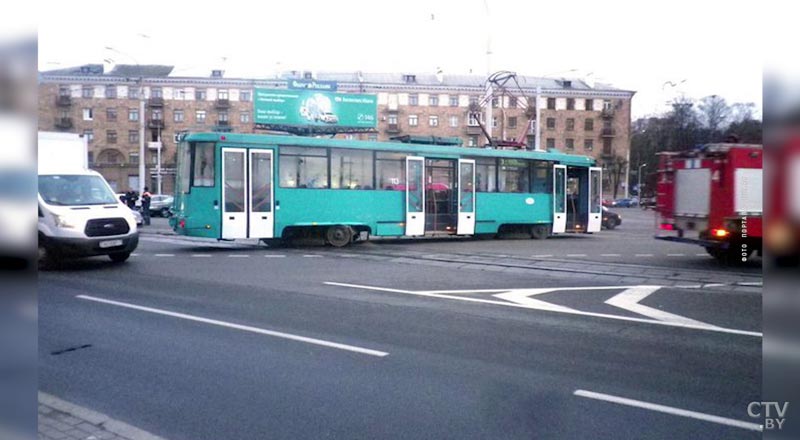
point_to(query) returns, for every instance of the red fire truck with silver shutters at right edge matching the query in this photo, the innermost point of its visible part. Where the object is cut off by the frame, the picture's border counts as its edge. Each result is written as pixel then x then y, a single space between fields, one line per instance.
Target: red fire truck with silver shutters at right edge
pixel 712 197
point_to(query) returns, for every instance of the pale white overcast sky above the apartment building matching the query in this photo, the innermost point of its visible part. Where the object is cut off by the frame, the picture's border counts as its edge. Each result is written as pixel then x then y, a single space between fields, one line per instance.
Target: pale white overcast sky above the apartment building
pixel 637 46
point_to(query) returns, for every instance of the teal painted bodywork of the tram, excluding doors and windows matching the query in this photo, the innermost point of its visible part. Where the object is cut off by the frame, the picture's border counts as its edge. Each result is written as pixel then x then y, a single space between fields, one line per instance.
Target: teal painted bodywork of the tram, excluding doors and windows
pixel 382 211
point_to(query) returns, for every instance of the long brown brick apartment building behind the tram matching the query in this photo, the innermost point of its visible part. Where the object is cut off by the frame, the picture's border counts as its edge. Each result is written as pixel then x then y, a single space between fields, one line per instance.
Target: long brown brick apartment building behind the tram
pixel 120 109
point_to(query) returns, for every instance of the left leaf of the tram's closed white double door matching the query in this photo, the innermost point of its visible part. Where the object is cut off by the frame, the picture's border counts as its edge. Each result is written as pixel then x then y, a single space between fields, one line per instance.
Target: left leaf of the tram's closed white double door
pixel 234 204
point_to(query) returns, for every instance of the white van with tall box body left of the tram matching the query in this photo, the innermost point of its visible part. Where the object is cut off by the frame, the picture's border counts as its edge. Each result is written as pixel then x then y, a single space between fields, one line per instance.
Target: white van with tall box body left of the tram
pixel 79 214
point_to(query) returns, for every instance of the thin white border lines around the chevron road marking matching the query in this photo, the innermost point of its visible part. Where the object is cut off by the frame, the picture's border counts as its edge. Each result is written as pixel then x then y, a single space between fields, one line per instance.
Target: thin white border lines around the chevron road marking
pixel 438 294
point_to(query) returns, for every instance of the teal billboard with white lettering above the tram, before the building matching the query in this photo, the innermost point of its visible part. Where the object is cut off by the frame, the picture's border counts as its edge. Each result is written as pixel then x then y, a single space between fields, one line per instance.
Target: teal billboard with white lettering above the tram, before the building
pixel 314 108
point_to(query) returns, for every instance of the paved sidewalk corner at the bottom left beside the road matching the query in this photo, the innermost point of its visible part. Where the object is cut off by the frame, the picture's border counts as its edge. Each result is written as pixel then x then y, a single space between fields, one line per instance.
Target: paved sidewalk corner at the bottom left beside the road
pixel 61 420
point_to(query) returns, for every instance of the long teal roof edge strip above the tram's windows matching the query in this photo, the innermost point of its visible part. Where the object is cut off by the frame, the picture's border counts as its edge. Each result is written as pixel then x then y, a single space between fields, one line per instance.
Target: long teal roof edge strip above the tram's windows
pixel 443 151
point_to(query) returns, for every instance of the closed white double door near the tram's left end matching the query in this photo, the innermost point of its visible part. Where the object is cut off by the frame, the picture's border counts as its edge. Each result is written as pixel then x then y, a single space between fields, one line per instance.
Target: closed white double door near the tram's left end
pixel 247 193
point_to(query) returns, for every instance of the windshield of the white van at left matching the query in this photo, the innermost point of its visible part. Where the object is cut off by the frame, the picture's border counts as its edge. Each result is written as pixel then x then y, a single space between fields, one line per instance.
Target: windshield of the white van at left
pixel 72 190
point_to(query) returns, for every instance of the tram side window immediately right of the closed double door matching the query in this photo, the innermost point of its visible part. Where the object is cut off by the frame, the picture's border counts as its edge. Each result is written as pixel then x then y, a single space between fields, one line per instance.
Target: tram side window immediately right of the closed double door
pixel 304 167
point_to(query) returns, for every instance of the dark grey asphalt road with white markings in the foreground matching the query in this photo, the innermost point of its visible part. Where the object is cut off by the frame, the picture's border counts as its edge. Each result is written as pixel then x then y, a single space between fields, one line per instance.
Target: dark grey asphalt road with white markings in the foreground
pixel 225 341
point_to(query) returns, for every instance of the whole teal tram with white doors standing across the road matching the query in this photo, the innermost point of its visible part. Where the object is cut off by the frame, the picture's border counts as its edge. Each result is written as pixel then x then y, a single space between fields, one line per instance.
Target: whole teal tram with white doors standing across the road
pixel 237 186
